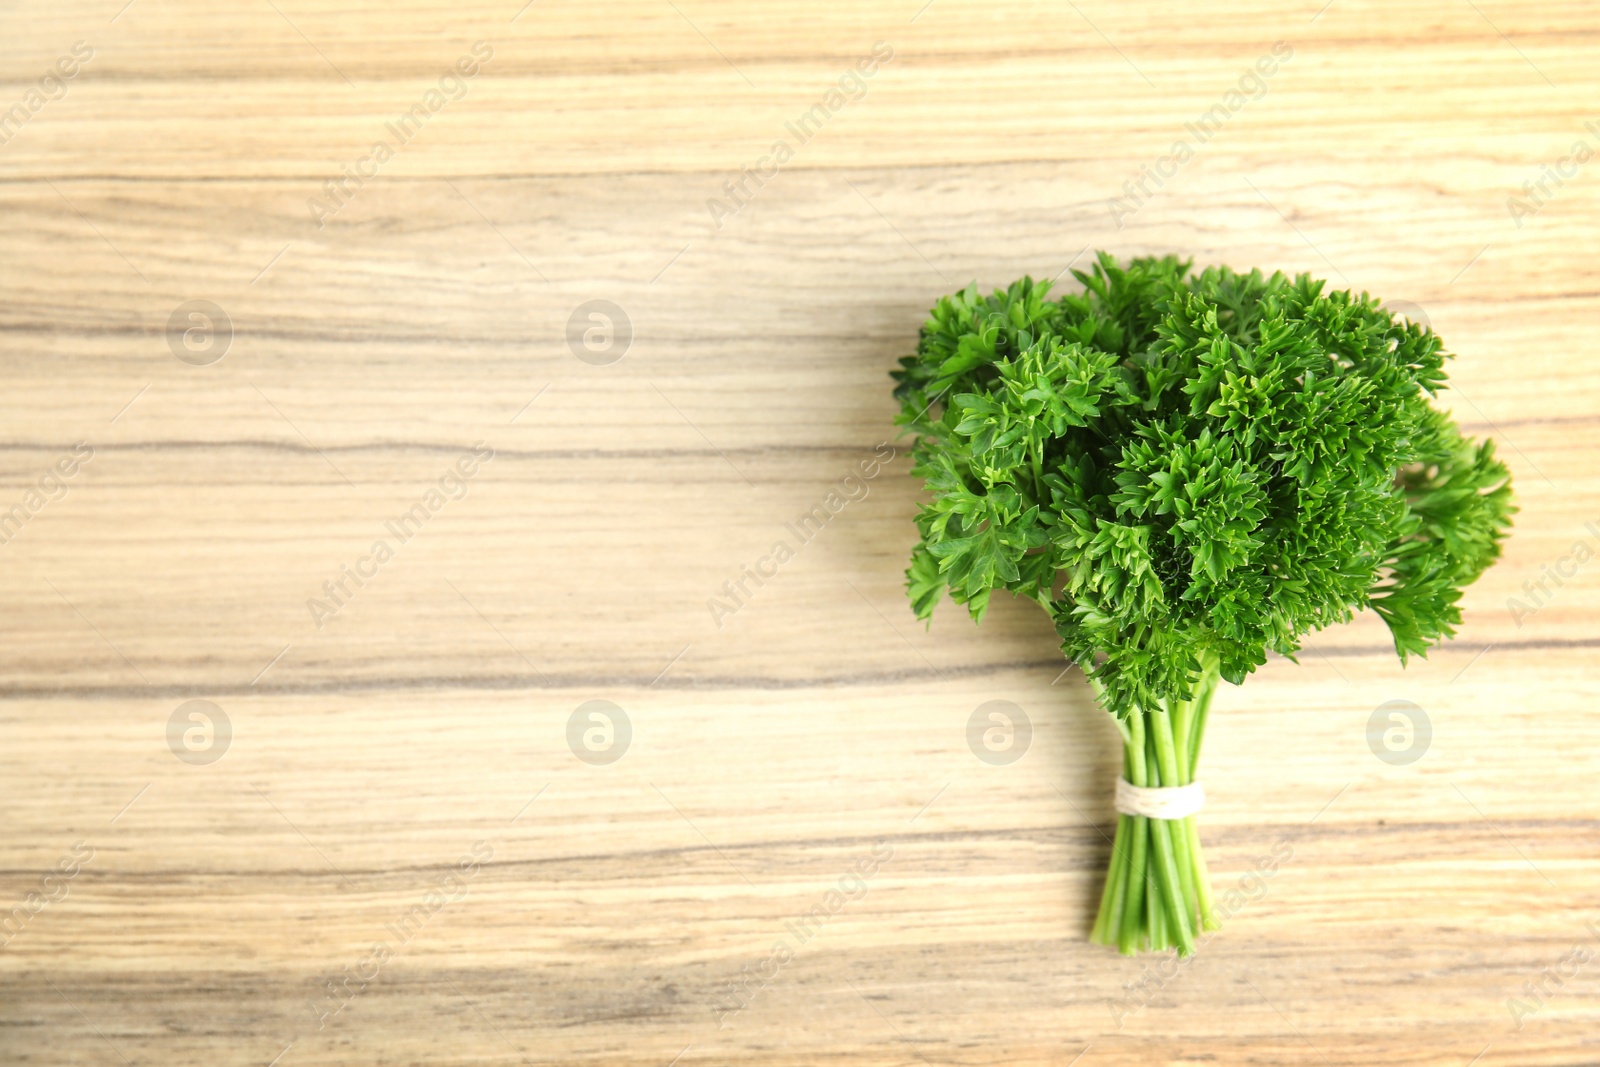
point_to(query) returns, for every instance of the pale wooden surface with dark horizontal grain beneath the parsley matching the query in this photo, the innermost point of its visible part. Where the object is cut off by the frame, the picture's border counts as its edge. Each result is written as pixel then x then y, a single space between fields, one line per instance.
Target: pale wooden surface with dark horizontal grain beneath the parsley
pixel 770 756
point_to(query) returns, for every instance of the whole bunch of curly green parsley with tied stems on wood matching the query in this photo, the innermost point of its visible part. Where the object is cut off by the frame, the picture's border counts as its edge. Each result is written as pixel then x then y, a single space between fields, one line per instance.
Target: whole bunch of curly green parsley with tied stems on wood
pixel 1190 471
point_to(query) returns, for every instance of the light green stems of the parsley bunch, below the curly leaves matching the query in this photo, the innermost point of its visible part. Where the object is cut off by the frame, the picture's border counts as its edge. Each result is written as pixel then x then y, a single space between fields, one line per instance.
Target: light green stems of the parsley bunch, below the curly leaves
pixel 1158 892
